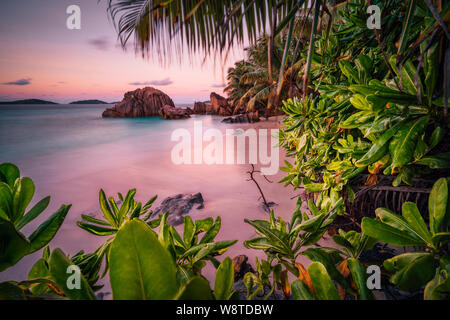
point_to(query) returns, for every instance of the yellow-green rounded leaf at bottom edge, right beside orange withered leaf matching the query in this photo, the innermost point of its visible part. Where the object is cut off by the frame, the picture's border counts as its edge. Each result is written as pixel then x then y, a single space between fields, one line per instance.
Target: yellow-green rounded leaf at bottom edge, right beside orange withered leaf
pixel 322 283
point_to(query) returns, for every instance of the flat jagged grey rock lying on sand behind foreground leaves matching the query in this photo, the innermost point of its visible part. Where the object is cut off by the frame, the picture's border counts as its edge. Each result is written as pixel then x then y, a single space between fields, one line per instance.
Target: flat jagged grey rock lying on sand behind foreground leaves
pixel 178 206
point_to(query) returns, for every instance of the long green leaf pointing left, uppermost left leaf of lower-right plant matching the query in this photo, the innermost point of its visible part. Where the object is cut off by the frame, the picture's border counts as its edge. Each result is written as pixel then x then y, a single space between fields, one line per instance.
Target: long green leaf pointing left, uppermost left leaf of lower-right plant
pixel 388 234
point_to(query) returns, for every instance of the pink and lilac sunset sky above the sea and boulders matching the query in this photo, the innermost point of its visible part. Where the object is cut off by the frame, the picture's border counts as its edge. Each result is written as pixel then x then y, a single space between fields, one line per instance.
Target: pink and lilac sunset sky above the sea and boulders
pixel 41 58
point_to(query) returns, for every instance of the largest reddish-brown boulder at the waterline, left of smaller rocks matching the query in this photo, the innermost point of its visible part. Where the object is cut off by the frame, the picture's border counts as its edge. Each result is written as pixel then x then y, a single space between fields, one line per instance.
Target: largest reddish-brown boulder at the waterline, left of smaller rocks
pixel 146 102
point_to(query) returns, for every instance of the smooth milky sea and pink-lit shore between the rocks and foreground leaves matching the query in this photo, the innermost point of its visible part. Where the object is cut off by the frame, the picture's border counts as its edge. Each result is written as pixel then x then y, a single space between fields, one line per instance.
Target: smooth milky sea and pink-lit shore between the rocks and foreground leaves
pixel 71 152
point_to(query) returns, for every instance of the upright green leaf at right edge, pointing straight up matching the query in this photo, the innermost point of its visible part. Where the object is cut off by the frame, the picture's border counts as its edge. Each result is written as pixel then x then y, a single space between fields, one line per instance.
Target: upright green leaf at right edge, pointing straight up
pixel 437 204
